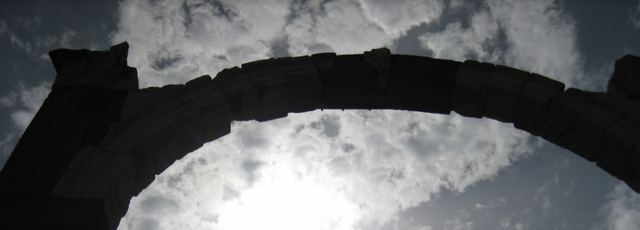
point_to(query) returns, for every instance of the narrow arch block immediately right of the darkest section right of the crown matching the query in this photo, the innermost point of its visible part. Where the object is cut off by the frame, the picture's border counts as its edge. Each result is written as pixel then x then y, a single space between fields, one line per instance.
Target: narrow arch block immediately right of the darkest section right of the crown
pixel 470 91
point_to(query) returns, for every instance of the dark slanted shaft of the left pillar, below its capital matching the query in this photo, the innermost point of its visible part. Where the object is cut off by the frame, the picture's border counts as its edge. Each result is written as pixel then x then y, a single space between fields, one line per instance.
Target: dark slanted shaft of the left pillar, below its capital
pixel 50 143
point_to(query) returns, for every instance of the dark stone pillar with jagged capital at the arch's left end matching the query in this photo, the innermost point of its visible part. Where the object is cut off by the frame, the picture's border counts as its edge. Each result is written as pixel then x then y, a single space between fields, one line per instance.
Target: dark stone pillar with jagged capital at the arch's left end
pixel 88 93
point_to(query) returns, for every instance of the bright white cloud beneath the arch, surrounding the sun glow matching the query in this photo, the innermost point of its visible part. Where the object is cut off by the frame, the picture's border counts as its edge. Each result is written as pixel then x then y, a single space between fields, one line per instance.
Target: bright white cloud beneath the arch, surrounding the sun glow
pixel 383 162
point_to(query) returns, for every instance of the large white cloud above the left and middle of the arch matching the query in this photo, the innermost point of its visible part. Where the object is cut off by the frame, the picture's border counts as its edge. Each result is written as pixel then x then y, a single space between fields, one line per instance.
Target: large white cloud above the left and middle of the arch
pixel 202 37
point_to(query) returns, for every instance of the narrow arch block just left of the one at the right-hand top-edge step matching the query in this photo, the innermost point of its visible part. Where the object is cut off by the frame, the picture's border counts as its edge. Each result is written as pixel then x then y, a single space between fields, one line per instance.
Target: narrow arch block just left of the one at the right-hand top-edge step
pixel 502 92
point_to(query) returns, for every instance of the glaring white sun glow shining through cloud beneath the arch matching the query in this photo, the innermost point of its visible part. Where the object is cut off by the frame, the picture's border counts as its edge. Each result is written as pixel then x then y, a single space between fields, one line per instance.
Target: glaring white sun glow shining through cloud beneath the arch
pixel 284 200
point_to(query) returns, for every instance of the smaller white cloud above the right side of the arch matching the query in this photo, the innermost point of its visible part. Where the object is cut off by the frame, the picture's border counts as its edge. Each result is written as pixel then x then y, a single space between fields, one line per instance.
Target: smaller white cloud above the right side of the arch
pixel 539 38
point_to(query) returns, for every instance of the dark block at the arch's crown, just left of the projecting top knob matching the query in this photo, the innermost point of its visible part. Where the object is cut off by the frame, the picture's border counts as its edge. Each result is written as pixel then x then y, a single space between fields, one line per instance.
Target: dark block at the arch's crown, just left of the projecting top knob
pixel 352 85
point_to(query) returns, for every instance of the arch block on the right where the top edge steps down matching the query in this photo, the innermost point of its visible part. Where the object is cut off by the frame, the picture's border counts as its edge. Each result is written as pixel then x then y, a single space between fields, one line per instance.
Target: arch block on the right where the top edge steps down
pixel 533 103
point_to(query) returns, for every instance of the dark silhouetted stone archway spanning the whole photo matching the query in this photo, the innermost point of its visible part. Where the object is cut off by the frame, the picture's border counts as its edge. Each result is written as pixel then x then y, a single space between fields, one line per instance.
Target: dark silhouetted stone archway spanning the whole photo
pixel 98 140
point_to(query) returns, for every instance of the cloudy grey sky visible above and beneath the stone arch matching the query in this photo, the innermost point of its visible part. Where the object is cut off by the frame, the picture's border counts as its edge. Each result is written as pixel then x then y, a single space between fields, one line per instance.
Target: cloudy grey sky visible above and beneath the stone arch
pixel 345 169
